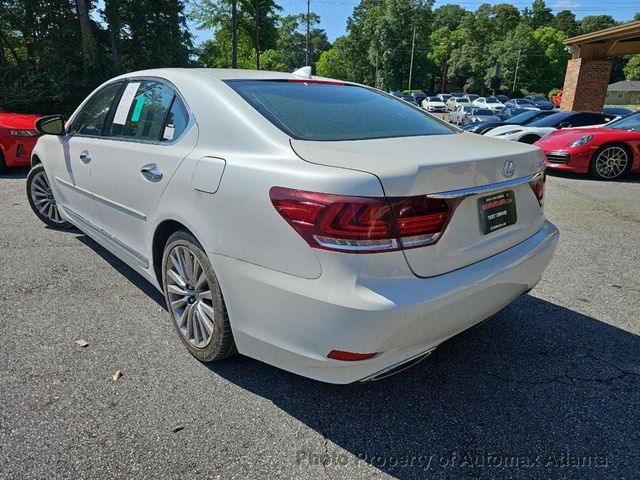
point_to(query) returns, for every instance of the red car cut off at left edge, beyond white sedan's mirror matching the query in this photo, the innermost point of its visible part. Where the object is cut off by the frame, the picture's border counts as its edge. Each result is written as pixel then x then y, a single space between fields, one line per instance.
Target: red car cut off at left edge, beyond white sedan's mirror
pixel 18 136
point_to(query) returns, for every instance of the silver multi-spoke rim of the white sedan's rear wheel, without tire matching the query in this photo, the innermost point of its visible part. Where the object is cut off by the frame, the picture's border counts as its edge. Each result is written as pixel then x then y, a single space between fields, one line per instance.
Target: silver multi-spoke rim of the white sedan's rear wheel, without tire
pixel 190 297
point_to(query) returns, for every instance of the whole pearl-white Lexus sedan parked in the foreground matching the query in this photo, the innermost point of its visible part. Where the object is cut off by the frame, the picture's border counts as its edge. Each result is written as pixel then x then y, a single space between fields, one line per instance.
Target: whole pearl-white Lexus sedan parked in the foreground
pixel 320 226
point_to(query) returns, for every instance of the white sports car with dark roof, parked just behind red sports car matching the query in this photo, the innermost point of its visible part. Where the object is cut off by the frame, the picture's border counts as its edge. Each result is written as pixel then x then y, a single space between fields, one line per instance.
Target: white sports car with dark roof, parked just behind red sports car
pixel 542 127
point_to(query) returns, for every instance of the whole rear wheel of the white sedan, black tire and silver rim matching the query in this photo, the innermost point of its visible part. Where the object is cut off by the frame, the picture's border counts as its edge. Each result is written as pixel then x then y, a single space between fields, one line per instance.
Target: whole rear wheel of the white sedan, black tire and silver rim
pixel 194 299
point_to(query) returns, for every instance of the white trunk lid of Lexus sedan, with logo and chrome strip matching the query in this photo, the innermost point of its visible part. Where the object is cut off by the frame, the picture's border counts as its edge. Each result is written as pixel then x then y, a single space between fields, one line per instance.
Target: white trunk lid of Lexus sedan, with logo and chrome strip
pixel 450 164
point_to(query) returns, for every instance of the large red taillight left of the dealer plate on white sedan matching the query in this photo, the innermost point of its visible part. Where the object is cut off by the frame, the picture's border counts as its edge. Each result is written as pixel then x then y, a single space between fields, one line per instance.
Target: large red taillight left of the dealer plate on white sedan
pixel 361 224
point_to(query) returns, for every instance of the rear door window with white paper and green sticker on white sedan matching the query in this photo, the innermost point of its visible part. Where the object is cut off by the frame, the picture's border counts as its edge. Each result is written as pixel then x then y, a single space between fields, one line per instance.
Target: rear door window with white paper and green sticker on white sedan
pixel 142 111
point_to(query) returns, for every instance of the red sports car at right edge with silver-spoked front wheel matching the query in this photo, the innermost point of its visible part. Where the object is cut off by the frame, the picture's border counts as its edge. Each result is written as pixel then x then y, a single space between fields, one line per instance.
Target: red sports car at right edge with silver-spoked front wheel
pixel 606 152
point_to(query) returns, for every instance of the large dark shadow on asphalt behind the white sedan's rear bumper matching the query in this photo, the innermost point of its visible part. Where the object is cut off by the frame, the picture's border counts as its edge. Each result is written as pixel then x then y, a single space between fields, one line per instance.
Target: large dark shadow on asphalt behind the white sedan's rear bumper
pixel 536 386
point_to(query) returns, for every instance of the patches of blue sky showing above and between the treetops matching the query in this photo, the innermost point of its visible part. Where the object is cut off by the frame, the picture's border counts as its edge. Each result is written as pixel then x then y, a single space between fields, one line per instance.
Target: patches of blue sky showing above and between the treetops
pixel 334 13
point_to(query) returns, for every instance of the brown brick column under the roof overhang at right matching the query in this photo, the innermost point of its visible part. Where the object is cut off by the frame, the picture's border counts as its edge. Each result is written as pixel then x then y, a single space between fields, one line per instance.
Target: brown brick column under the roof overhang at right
pixel 585 85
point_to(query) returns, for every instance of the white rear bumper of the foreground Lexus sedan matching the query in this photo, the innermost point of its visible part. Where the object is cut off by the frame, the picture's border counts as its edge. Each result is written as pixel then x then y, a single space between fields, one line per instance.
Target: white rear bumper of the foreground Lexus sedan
pixel 293 323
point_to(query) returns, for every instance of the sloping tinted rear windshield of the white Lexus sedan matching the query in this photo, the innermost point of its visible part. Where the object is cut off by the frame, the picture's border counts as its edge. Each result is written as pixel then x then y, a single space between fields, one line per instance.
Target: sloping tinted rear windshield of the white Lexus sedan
pixel 331 112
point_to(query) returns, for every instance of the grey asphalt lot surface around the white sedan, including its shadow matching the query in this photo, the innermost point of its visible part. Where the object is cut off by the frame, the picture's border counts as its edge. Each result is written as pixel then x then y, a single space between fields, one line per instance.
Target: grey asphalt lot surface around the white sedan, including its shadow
pixel 549 388
